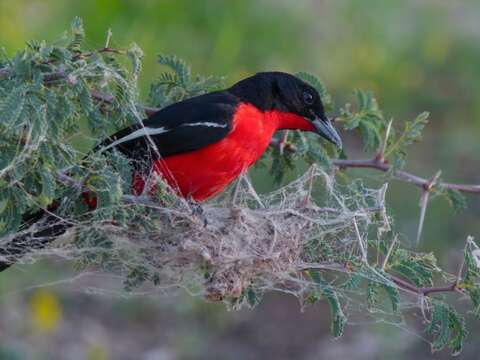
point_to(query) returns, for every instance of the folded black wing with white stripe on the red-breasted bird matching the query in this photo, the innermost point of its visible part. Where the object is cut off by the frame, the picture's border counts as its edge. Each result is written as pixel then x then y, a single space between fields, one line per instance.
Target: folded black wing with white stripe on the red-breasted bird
pixel 185 126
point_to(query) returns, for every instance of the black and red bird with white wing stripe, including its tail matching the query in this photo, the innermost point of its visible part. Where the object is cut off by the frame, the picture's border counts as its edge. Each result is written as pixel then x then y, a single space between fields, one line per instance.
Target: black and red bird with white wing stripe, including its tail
pixel 202 144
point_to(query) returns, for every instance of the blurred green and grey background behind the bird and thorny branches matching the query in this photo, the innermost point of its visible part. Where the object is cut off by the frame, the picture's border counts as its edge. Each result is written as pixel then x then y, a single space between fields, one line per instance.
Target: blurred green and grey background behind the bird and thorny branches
pixel 415 55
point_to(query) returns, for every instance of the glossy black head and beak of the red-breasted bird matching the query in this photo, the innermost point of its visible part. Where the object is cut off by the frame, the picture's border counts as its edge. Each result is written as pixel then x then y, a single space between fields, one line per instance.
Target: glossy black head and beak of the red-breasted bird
pixel 287 93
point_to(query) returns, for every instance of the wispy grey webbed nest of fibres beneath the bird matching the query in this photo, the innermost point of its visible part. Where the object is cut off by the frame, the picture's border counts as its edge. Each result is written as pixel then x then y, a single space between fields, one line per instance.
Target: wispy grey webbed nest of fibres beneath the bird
pixel 250 241
